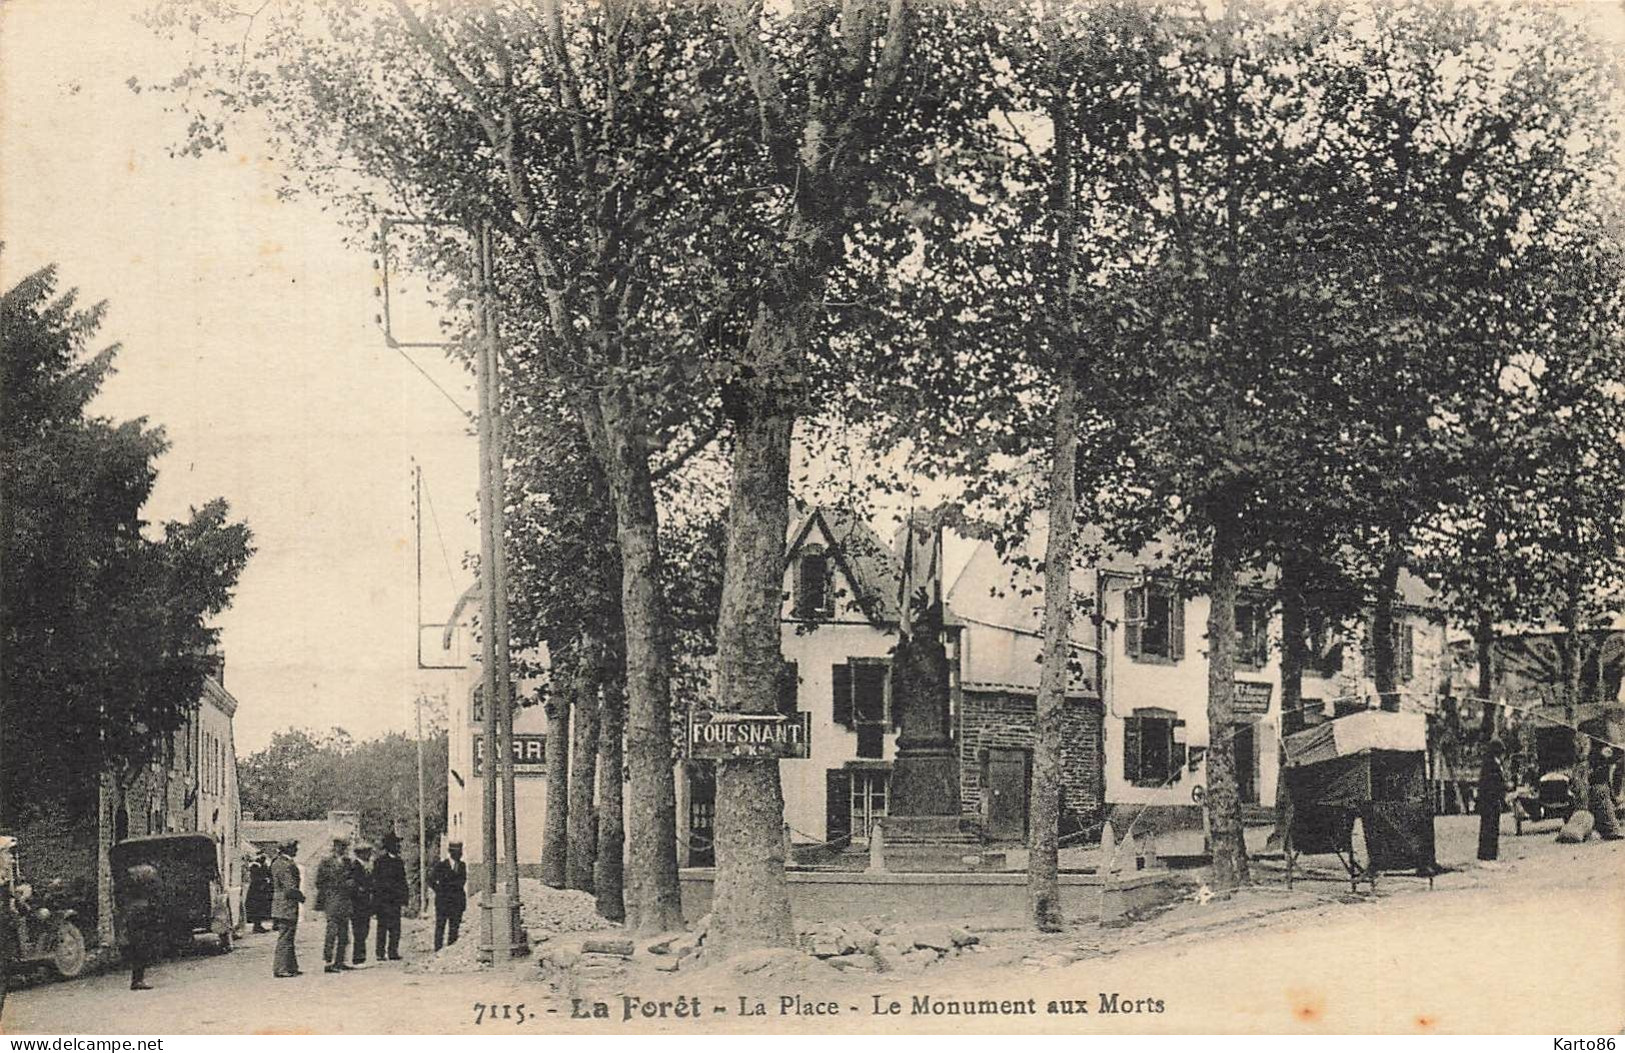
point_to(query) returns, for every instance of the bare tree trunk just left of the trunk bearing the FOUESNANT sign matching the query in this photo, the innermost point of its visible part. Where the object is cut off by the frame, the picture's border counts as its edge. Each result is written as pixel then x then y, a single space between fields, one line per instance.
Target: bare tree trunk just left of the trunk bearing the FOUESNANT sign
pixel 656 899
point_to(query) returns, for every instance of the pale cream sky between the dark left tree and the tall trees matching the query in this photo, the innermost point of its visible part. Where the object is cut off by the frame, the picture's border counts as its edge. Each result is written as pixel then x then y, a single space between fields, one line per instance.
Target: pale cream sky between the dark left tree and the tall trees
pixel 248 332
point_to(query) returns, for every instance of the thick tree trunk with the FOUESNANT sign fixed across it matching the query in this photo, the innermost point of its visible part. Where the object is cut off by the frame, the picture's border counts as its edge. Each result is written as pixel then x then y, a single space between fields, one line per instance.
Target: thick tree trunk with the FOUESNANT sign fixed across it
pixel 752 903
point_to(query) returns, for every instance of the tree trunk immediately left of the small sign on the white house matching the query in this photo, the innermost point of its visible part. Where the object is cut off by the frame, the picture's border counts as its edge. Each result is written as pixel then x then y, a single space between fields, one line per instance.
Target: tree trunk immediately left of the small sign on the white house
pixel 1224 800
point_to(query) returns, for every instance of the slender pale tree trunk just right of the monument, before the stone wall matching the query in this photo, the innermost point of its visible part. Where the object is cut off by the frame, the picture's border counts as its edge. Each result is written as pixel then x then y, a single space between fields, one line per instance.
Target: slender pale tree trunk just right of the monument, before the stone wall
pixel 1044 891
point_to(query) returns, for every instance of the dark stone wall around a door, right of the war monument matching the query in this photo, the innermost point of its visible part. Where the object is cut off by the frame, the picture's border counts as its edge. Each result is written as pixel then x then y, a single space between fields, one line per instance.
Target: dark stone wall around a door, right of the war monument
pixel 1007 721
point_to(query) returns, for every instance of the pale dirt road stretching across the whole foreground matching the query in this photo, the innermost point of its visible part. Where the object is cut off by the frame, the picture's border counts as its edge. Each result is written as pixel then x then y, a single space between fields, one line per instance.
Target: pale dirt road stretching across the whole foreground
pixel 1532 945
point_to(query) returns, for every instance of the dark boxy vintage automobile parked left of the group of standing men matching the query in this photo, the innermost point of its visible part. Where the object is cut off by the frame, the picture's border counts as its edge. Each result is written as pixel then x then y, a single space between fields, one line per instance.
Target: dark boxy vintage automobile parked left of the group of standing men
pixel 191 896
